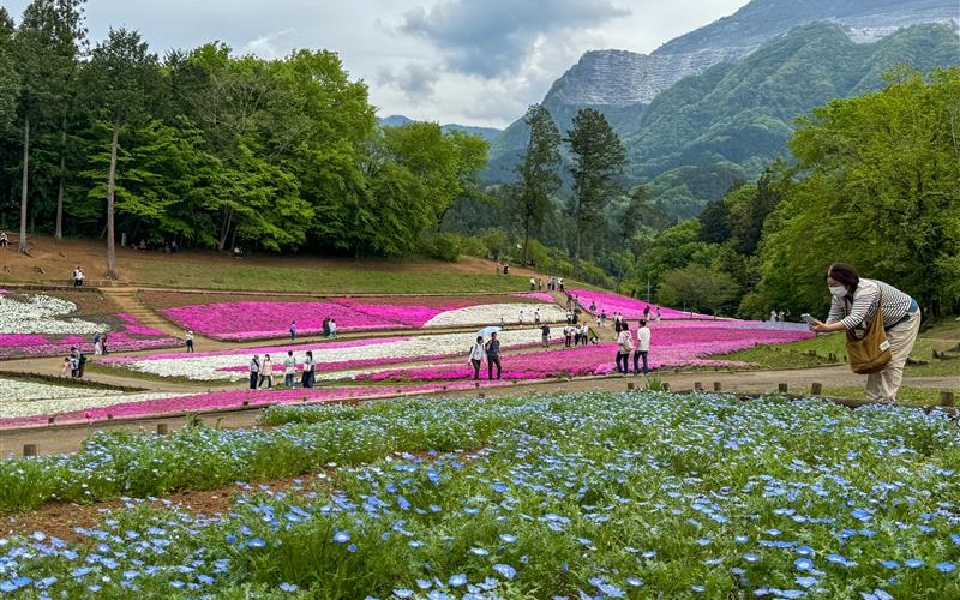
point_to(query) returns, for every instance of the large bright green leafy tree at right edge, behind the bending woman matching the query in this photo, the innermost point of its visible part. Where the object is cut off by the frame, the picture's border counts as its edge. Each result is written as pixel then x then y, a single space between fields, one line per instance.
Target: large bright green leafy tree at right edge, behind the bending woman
pixel 881 190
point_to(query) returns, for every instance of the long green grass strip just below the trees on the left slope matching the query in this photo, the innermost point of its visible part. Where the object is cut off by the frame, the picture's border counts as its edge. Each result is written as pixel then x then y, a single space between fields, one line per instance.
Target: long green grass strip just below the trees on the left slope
pixel 309 278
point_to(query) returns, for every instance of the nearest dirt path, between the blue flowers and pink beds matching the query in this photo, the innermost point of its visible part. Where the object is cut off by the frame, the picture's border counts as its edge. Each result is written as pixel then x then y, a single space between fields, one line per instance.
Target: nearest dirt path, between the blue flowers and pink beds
pixel 64 439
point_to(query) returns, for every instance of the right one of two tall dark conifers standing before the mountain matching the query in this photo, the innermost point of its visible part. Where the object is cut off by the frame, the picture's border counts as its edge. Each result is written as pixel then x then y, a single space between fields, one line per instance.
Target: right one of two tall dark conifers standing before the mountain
pixel 598 161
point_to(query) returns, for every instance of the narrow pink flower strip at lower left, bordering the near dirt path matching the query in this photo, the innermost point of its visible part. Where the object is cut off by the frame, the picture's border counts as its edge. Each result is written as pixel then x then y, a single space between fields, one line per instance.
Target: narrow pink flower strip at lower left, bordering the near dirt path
pixel 229 399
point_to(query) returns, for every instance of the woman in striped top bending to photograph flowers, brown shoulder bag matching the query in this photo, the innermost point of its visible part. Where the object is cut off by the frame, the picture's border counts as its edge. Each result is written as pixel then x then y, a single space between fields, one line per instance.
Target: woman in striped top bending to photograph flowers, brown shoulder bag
pixel 853 308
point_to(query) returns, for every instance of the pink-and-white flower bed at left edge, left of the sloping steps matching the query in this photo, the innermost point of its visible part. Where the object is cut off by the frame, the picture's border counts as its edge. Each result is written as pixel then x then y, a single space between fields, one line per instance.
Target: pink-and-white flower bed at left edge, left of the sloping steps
pixel 45 325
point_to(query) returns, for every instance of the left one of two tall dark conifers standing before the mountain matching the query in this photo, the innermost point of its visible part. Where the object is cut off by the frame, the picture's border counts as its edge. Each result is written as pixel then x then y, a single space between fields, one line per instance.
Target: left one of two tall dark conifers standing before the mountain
pixel 538 175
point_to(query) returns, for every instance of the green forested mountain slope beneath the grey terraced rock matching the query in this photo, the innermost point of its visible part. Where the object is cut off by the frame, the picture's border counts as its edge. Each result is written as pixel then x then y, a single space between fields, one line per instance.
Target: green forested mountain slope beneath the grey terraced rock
pixel 736 117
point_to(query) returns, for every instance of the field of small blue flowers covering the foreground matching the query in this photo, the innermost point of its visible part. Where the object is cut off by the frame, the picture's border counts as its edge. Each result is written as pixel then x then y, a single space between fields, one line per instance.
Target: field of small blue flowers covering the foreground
pixel 575 496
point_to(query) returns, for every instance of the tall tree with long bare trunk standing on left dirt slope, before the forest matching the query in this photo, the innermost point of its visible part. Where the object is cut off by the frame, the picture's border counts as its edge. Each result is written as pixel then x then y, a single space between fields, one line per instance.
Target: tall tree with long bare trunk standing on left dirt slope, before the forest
pixel 125 74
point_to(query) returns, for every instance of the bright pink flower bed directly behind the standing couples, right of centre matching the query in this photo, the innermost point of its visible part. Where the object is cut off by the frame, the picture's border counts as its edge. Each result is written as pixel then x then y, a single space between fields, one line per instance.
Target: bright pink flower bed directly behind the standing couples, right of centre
pixel 670 346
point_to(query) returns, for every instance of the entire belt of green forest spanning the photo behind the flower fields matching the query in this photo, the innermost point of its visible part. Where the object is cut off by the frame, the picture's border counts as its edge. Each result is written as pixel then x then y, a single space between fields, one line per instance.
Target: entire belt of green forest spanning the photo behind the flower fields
pixel 209 149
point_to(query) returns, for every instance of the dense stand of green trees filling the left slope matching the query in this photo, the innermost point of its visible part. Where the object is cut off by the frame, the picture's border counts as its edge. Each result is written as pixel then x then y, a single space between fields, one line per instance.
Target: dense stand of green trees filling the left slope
pixel 207 148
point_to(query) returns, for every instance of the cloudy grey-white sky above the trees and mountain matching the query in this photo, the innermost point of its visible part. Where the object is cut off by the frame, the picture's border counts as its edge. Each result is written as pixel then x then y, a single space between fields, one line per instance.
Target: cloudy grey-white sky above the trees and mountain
pixel 477 62
